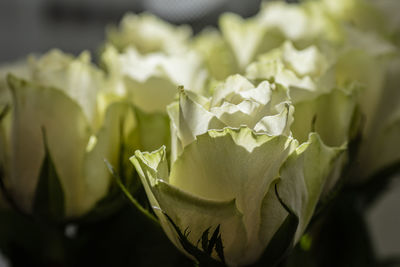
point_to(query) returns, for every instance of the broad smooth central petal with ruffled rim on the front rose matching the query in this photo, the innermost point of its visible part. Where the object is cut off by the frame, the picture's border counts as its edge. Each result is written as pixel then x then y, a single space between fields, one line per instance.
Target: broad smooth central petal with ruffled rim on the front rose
pixel 217 164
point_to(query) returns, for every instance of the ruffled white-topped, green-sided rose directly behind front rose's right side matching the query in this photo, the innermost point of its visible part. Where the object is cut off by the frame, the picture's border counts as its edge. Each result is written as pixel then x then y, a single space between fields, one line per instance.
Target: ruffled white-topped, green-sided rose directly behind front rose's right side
pixel 318 104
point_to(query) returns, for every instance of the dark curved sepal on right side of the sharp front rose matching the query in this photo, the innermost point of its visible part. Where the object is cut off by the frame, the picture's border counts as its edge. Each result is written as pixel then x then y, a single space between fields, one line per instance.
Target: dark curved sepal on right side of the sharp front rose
pixel 282 241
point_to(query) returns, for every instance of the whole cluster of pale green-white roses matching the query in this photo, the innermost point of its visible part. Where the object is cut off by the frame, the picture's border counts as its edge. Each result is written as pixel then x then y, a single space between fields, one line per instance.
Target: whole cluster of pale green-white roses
pixel 250 124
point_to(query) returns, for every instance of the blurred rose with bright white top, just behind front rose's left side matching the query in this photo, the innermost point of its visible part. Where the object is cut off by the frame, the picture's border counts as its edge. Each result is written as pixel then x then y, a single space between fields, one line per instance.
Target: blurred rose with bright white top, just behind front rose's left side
pixel 151 81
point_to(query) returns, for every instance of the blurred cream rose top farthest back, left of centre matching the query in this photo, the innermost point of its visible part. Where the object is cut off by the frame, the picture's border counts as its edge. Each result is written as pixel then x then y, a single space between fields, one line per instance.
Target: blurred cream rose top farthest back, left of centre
pixel 148 34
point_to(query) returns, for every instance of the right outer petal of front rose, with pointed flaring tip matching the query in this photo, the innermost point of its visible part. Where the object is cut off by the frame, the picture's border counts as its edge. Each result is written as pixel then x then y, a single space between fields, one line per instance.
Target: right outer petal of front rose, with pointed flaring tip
pixel 303 178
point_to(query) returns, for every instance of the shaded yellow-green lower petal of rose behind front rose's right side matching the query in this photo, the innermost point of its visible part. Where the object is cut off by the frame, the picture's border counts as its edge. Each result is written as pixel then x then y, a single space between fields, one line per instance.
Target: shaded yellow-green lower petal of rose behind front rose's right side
pixel 330 115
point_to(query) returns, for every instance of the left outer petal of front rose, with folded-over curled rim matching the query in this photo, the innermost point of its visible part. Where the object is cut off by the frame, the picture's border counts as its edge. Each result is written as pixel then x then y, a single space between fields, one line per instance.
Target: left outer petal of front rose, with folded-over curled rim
pixel 188 211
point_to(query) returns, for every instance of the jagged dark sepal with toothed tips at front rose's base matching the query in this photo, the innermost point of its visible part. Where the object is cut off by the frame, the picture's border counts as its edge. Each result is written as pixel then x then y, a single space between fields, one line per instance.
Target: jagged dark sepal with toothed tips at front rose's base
pixel 203 257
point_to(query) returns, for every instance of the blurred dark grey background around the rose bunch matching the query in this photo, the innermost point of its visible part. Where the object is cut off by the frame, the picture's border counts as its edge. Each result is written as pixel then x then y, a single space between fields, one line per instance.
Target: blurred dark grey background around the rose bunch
pixel 35 26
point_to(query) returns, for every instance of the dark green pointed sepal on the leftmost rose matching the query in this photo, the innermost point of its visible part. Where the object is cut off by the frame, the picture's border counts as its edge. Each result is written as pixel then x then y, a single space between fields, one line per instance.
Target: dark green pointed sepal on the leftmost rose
pixel 49 202
